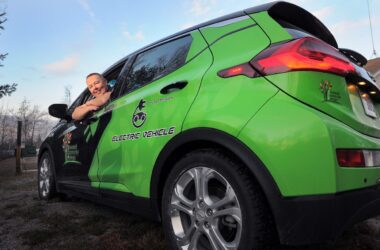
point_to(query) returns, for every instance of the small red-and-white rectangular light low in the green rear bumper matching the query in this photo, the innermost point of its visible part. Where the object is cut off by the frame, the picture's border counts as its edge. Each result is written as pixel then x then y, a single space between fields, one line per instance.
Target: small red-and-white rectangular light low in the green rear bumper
pixel 358 157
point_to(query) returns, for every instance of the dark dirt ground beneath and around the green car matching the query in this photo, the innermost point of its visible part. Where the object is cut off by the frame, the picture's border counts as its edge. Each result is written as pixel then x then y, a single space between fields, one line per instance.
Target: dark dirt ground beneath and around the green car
pixel 29 223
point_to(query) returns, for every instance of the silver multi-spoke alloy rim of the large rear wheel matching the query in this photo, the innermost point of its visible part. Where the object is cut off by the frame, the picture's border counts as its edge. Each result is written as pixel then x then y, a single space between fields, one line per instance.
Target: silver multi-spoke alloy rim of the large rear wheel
pixel 204 211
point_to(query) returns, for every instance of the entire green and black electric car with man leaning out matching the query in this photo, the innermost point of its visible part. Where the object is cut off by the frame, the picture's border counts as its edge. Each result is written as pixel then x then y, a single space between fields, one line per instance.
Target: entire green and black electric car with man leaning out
pixel 250 129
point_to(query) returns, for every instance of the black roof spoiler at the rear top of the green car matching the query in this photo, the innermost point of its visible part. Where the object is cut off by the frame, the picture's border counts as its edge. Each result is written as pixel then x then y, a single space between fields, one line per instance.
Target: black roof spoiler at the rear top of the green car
pixel 295 15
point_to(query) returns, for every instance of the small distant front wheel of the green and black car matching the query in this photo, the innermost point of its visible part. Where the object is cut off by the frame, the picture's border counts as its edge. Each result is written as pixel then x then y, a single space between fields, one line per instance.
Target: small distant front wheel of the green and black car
pixel 46 182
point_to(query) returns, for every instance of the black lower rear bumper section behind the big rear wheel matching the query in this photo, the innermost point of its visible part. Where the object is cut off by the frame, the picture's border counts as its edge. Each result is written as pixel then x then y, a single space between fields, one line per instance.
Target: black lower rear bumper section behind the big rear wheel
pixel 313 219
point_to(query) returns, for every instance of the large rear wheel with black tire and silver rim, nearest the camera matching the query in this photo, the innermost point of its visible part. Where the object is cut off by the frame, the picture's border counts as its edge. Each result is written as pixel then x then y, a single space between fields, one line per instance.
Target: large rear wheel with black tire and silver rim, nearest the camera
pixel 229 211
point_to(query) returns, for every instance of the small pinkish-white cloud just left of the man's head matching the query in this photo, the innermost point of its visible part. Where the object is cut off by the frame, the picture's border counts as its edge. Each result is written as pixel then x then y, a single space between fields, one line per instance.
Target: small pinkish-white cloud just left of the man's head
pixel 65 66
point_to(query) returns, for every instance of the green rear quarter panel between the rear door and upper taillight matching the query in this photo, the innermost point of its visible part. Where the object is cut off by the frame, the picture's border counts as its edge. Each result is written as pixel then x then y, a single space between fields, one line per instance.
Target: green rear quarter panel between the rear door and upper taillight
pixel 242 97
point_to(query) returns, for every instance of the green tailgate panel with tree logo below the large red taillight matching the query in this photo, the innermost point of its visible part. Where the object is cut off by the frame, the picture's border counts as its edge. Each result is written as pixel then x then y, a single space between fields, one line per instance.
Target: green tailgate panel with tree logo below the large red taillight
pixel 341 102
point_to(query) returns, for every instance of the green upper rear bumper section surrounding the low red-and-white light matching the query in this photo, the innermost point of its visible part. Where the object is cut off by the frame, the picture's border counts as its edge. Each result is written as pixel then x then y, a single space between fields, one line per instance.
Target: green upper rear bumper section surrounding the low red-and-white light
pixel 301 136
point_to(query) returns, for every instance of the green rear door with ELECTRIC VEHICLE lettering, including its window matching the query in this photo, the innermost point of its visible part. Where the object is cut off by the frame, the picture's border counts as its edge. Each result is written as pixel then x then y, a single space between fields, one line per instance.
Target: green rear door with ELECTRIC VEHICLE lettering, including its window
pixel 161 85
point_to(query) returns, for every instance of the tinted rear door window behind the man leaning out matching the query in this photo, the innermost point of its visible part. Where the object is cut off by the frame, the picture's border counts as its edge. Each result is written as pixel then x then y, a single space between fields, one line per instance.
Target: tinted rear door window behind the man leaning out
pixel 158 62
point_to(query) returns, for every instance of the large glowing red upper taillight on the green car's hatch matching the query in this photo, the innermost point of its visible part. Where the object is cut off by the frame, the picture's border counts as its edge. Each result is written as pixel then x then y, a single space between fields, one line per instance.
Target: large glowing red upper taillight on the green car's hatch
pixel 303 54
